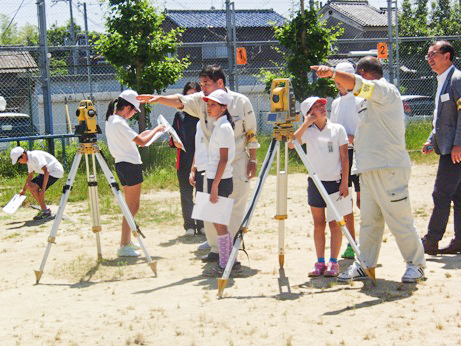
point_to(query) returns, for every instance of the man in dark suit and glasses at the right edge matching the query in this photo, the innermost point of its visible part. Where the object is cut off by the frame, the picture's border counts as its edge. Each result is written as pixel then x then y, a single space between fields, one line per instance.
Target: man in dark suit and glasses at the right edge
pixel 445 140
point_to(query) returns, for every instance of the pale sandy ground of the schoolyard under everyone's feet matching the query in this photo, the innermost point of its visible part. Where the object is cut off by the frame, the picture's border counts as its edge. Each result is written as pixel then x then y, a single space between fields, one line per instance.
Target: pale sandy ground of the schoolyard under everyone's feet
pixel 80 301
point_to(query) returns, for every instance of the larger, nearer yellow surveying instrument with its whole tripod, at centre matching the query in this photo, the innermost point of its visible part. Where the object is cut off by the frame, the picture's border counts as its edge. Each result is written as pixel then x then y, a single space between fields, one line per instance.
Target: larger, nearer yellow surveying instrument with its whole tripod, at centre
pixel 283 116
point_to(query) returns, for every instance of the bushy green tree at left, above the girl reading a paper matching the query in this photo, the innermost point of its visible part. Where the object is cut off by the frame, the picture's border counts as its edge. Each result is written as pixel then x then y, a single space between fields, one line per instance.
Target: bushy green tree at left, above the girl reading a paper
pixel 142 53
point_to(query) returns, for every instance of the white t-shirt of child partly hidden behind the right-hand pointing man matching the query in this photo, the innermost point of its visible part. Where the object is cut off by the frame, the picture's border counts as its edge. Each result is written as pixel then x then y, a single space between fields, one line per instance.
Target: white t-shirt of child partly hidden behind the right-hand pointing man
pixel 344 111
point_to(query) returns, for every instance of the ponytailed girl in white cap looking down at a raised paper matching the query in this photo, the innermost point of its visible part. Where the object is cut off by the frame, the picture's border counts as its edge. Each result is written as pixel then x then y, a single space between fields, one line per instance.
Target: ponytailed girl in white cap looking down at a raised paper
pixel 122 141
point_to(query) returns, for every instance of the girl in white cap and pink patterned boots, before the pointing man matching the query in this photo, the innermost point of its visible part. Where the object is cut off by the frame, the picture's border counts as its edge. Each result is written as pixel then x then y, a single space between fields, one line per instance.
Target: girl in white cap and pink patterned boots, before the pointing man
pixel 221 154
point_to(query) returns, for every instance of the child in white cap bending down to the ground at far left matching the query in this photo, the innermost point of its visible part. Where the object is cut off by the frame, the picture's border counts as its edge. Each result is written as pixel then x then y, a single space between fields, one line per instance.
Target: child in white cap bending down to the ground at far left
pixel 49 171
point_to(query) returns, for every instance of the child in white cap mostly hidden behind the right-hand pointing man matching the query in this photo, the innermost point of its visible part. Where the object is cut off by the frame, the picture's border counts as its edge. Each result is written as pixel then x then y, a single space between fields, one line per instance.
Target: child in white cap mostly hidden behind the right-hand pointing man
pixel 345 111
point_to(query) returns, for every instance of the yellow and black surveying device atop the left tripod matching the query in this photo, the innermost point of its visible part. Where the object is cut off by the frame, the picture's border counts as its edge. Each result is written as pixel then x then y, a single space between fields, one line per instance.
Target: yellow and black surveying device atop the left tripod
pixel 87 127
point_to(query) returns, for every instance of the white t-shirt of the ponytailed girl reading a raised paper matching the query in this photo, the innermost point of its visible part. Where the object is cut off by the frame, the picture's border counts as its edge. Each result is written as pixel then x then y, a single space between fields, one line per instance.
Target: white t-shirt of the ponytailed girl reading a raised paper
pixel 120 140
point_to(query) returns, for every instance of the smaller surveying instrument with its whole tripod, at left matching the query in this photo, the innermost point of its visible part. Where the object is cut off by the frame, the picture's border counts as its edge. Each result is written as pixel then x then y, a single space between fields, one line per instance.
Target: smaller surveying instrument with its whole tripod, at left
pixel 86 130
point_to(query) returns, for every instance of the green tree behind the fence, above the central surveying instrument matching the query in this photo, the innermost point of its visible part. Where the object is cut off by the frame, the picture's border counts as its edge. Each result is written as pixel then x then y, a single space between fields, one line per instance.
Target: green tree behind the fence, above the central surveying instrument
pixel 306 41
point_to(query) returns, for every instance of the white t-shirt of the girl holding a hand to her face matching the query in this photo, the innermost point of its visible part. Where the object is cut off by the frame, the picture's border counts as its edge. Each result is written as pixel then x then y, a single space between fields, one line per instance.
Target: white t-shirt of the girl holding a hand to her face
pixel 322 149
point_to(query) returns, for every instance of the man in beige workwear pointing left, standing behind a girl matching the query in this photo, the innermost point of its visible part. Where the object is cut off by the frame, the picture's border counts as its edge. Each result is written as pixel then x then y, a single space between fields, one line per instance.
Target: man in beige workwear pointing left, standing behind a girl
pixel 244 165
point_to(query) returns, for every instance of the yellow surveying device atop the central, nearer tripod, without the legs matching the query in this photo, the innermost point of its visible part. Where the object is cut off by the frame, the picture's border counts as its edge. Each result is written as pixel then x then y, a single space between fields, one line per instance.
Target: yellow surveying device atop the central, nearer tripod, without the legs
pixel 283 113
